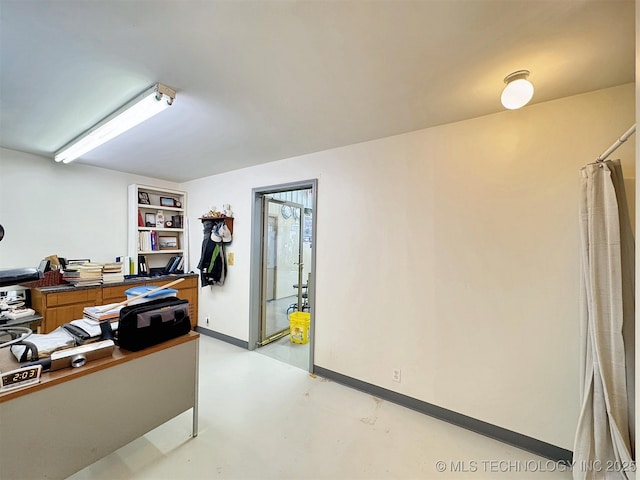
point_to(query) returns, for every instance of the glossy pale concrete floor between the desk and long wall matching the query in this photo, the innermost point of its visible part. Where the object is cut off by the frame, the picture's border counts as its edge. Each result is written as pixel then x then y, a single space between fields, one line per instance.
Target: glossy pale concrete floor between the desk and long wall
pixel 262 418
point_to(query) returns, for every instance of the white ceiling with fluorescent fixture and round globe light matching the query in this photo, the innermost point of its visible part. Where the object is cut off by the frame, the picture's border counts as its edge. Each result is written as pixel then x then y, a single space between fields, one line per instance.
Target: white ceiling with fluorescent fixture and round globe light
pixel 259 81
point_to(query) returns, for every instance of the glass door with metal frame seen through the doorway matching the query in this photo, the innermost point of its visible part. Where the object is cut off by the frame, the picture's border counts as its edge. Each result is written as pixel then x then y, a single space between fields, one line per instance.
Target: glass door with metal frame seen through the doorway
pixel 282 267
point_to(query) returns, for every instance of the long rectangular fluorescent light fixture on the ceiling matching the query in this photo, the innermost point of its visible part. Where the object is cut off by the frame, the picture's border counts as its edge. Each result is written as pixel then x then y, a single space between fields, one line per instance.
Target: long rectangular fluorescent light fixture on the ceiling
pixel 153 100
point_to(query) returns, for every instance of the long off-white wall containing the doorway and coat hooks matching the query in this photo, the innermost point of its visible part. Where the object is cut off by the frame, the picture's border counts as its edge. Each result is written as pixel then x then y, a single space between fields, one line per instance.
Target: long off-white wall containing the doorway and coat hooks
pixel 450 252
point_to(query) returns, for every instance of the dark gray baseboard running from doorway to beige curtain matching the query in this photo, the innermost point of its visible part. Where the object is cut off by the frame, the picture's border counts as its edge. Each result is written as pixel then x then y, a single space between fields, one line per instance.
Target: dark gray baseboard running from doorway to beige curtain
pixel 524 442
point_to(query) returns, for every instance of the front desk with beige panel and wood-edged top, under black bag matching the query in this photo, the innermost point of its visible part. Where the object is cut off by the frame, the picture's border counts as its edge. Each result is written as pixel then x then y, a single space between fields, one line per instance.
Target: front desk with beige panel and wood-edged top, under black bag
pixel 76 416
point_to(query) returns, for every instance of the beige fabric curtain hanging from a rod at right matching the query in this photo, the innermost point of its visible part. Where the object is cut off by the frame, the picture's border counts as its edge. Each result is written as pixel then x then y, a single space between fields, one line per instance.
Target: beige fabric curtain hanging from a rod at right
pixel 605 434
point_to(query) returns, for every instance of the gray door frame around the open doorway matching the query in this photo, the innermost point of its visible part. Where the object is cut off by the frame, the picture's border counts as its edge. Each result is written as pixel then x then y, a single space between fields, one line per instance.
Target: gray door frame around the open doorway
pixel 255 269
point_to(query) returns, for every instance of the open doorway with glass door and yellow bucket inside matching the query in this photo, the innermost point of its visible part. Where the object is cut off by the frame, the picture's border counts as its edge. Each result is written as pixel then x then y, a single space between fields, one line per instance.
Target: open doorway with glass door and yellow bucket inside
pixel 283 270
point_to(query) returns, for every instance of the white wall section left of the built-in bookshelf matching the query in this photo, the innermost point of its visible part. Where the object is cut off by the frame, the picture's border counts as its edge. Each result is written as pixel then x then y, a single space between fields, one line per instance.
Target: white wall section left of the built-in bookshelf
pixel 73 211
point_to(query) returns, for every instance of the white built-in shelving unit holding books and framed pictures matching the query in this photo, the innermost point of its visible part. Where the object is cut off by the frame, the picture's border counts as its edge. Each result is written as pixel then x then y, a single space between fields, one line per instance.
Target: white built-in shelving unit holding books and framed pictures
pixel 157 229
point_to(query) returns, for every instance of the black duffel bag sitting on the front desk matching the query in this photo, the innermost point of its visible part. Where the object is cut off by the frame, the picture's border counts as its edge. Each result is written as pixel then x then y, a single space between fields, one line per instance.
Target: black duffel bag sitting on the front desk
pixel 153 322
